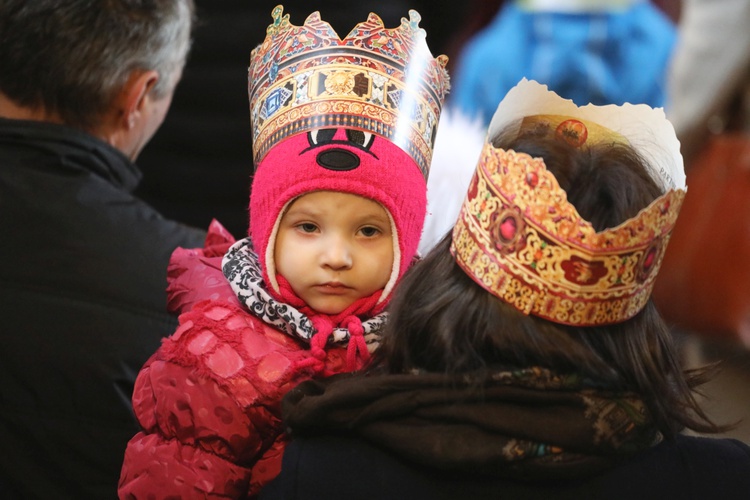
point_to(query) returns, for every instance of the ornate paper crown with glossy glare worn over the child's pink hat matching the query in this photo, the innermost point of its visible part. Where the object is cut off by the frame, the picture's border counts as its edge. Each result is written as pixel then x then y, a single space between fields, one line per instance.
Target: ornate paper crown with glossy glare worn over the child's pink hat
pixel 378 80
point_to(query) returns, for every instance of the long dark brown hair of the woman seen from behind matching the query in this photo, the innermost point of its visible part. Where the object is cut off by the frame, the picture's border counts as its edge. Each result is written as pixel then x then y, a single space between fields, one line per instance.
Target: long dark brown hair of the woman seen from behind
pixel 442 321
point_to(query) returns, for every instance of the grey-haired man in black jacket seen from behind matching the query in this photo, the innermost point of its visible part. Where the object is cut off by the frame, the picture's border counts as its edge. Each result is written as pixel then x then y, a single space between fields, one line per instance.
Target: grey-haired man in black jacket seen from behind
pixel 84 84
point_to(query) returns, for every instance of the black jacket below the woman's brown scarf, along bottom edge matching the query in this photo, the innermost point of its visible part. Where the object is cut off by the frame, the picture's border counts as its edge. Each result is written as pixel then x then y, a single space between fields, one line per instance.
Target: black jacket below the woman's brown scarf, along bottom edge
pixel 343 468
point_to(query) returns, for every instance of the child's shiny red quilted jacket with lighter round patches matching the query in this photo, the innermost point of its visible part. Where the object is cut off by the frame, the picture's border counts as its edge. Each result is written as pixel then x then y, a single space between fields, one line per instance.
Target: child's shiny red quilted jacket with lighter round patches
pixel 209 399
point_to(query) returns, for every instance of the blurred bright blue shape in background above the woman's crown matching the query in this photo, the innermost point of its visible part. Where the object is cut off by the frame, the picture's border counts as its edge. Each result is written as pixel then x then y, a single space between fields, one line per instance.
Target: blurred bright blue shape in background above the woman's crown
pixel 601 56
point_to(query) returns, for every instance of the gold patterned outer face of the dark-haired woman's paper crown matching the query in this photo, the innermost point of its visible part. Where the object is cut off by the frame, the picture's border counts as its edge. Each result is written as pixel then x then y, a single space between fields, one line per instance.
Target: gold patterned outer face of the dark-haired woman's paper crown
pixel 519 238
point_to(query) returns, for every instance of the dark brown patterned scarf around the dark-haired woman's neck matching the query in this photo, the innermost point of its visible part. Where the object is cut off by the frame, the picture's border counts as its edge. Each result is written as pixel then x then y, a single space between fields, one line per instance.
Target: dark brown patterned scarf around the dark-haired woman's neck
pixel 523 424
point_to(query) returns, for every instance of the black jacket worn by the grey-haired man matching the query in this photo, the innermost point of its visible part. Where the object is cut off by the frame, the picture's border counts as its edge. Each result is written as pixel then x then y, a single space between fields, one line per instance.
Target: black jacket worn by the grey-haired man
pixel 82 307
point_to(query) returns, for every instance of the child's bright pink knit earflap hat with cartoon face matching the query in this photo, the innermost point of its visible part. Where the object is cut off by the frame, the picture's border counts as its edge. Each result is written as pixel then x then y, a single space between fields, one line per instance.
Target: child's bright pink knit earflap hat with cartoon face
pixel 345 160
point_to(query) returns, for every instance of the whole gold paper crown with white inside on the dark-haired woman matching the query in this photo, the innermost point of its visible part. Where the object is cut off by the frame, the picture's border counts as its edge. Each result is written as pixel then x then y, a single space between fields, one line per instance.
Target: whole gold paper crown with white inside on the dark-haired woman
pixel 518 237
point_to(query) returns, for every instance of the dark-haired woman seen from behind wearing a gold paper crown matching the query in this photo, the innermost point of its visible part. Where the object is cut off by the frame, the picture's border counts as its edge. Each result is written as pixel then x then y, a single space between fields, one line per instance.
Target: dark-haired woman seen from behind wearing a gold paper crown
pixel 523 357
